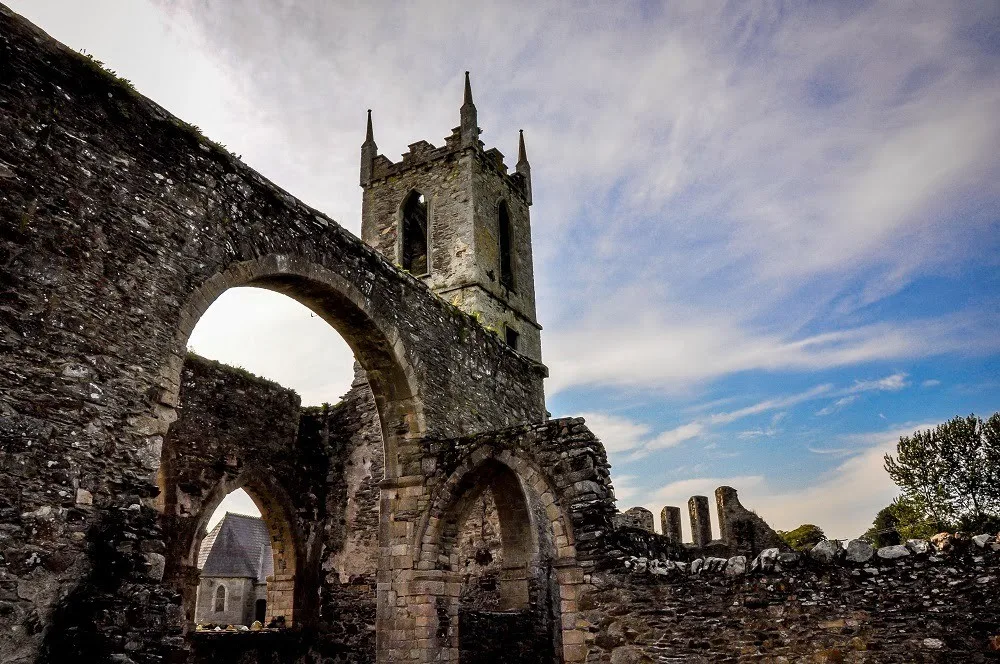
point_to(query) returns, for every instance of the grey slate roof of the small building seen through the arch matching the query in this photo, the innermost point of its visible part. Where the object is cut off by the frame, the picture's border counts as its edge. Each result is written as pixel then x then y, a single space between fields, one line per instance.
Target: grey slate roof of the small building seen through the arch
pixel 238 546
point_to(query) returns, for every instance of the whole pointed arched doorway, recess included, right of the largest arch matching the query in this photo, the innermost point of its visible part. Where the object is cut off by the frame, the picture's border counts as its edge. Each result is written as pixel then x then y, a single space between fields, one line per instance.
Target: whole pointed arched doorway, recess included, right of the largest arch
pixel 537 568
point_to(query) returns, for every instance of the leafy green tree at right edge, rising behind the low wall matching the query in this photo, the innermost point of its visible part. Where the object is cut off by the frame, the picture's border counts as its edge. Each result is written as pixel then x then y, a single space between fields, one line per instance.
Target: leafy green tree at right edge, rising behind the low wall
pixel 951 473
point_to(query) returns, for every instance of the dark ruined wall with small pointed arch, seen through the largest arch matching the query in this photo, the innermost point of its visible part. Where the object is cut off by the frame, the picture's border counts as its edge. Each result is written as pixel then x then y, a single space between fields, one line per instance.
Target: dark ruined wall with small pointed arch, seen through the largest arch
pixel 237 429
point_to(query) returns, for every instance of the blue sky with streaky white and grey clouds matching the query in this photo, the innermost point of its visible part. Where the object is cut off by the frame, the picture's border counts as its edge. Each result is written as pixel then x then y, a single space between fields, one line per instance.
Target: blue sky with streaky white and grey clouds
pixel 766 234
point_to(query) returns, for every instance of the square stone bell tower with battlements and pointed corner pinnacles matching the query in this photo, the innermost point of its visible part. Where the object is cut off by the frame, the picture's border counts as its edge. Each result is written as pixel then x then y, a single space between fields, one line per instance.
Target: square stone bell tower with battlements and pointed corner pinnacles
pixel 455 218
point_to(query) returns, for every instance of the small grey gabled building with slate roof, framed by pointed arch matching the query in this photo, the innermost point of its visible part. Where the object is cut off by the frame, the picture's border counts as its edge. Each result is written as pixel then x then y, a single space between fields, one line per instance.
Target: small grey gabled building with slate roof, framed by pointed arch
pixel 235 560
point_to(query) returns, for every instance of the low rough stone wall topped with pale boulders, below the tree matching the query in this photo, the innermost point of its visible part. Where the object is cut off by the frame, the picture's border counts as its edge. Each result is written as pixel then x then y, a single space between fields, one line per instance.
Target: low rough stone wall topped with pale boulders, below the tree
pixel 914 603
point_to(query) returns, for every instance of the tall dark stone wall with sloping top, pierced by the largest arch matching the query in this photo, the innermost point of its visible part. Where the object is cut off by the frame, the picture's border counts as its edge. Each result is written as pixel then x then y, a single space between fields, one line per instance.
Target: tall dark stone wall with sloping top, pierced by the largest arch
pixel 120 225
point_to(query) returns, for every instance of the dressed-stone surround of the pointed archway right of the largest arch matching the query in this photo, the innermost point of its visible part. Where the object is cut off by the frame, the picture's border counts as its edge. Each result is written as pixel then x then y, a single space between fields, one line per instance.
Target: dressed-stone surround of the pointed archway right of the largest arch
pixel 538 541
